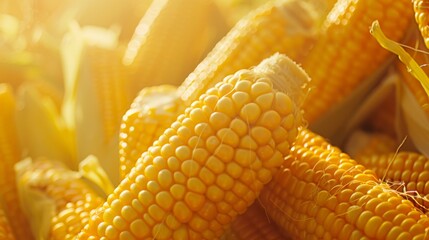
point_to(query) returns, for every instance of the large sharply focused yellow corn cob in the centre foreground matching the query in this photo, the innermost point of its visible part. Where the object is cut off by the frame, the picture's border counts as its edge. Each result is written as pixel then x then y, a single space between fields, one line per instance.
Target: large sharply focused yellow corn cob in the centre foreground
pixel 213 161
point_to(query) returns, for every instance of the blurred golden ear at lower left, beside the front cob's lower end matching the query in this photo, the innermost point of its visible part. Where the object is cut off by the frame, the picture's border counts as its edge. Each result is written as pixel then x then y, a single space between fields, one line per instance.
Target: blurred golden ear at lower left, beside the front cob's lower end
pixel 57 199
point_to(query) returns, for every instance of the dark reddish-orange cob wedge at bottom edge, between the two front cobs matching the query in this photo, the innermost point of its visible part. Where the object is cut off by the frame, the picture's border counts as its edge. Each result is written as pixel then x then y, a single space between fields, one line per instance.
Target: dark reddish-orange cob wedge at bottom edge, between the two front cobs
pixel 254 224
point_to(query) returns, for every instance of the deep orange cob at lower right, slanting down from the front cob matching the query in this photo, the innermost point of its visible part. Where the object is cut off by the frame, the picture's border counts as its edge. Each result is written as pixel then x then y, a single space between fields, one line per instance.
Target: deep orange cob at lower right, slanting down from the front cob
pixel 325 194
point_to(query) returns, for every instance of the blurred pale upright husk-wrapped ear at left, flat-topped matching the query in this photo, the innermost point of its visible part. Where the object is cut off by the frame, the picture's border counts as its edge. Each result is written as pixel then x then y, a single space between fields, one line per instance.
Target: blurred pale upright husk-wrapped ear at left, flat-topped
pixel 96 94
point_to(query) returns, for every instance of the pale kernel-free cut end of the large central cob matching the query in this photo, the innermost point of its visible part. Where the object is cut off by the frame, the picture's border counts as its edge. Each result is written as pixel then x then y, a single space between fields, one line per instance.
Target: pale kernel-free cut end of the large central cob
pixel 286 75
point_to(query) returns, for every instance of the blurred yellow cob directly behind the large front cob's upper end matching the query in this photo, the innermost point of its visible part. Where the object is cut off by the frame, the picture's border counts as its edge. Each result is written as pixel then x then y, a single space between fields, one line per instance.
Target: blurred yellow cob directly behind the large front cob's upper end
pixel 286 26
